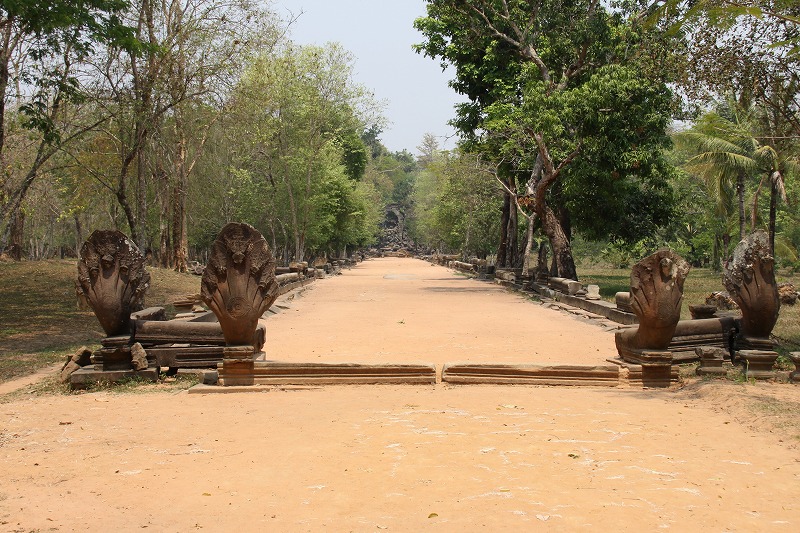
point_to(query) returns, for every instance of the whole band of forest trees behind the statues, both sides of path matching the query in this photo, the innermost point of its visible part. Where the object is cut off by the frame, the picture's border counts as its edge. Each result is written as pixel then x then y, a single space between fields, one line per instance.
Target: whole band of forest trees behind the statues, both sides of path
pixel 597 130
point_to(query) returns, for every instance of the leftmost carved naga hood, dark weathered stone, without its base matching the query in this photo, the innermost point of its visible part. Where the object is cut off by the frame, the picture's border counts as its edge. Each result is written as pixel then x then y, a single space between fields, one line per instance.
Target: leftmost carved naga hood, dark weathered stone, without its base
pixel 112 277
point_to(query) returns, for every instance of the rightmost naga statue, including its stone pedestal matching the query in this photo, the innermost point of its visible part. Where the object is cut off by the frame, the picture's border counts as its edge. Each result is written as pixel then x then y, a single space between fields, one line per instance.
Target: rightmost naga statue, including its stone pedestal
pixel 749 277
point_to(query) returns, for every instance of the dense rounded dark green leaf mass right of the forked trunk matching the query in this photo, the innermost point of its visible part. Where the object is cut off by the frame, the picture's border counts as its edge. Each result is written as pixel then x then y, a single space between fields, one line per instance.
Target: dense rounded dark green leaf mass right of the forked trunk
pixel 618 187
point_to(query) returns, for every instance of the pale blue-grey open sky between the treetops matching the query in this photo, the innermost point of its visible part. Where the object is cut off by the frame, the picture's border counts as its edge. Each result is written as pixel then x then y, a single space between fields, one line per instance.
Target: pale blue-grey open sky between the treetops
pixel 380 34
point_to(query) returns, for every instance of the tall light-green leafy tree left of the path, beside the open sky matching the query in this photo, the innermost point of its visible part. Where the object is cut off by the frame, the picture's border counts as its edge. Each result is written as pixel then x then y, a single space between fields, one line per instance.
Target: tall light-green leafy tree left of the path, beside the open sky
pixel 302 110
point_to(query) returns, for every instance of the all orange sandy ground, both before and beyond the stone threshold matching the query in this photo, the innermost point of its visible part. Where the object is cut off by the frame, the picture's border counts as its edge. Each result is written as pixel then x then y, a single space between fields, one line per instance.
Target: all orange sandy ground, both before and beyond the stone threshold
pixel 404 458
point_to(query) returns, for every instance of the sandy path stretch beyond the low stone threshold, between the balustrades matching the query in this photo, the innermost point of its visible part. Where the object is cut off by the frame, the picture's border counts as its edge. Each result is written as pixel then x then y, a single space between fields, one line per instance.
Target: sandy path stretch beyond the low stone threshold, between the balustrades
pixel 406 310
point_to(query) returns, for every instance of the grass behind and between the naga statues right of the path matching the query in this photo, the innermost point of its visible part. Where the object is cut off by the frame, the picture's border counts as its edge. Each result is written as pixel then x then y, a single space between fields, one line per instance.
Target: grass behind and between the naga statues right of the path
pixel 700 283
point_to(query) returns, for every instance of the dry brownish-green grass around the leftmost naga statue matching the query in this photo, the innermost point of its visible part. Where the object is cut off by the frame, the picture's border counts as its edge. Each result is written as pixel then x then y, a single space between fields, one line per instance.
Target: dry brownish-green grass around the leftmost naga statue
pixel 40 323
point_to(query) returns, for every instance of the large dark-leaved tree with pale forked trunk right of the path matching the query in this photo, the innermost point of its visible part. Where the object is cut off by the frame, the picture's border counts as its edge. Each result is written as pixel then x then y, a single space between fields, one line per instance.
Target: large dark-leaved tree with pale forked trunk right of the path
pixel 526 65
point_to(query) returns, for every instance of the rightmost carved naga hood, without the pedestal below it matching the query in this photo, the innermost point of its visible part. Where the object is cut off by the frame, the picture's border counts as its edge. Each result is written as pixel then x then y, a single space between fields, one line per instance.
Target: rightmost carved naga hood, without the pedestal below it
pixel 750 279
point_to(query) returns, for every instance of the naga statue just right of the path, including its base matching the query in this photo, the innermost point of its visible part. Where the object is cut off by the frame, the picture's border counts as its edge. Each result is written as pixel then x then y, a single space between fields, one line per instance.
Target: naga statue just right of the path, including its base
pixel 655 297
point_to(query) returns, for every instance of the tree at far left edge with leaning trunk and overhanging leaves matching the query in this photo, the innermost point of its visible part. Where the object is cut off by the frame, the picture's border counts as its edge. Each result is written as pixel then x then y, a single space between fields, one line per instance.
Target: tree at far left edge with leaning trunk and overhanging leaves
pixel 41 43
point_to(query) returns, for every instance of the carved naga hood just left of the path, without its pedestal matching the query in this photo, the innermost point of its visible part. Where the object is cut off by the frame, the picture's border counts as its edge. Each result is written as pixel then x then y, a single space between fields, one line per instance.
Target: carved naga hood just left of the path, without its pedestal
pixel 239 282
